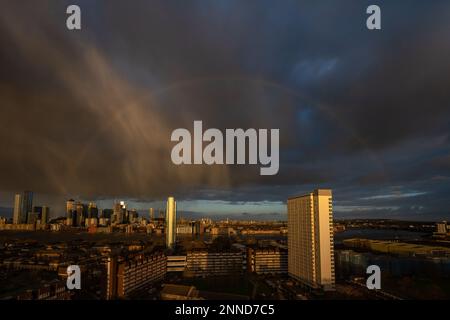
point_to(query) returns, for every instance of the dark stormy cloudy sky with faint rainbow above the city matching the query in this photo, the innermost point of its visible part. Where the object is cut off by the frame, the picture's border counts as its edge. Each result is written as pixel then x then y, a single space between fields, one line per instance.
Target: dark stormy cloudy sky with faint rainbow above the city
pixel 88 114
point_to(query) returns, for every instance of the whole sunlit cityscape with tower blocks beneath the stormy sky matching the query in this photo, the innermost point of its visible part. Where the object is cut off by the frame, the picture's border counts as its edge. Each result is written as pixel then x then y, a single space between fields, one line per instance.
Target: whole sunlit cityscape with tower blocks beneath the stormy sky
pixel 121 255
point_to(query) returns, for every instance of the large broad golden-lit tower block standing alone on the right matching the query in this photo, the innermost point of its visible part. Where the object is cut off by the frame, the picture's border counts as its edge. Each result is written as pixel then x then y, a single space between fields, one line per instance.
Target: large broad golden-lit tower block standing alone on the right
pixel 310 239
